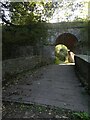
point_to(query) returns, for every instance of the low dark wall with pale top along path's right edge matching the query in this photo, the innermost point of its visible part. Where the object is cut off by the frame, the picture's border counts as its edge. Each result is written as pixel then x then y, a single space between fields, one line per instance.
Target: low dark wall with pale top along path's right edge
pixel 82 64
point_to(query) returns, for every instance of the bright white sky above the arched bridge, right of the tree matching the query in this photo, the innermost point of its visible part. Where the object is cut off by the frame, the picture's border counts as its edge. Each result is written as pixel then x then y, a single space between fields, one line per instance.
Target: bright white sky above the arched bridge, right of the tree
pixel 60 14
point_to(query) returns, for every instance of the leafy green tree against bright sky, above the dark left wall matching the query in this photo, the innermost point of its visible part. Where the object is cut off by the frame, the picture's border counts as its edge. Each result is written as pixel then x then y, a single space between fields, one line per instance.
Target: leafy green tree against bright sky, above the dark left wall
pixel 22 13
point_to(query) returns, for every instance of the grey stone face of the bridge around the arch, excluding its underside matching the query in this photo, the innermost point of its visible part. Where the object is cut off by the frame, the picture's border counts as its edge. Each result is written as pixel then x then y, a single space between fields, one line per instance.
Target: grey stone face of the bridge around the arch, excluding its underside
pixel 79 30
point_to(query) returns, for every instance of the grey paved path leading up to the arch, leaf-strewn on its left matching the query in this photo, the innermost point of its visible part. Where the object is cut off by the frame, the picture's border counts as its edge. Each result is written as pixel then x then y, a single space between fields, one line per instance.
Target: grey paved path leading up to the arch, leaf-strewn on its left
pixel 55 85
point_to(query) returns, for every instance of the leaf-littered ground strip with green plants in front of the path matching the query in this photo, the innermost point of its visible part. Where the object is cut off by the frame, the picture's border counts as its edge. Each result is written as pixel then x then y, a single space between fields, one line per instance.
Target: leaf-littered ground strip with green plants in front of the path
pixel 41 111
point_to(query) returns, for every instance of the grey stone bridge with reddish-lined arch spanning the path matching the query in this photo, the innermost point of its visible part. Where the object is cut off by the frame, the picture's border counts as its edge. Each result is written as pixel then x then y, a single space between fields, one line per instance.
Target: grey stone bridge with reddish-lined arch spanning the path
pixel 58 31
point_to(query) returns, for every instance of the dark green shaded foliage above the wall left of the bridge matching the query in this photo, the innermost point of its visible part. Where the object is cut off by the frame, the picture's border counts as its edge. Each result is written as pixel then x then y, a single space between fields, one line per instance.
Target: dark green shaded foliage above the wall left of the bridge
pixel 32 34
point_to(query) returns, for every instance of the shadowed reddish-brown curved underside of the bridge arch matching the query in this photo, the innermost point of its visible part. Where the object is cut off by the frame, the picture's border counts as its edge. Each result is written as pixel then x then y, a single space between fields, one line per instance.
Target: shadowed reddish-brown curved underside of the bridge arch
pixel 68 40
